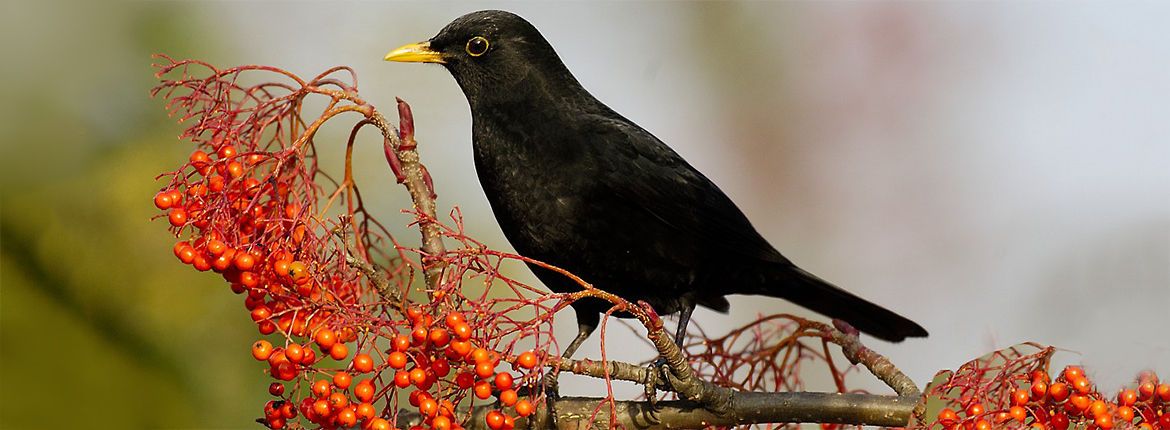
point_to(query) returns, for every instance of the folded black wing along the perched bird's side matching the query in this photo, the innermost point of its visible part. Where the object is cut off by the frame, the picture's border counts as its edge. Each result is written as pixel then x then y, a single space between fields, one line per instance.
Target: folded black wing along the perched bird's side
pixel 653 178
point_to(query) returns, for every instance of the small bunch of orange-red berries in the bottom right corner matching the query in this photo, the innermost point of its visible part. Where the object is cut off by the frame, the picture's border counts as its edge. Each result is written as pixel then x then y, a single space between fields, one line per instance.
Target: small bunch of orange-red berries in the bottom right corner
pixel 1070 400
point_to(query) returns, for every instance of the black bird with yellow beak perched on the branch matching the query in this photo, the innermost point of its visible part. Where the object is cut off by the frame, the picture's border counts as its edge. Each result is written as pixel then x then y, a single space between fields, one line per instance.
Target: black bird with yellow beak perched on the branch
pixel 576 185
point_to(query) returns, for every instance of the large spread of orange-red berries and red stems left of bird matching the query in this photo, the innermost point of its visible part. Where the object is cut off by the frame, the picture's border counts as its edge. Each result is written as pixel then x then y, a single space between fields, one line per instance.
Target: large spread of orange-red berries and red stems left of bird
pixel 324 281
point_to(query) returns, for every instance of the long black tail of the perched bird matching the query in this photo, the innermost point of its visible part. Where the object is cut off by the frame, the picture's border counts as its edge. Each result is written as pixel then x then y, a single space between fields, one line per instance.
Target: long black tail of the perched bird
pixel 808 290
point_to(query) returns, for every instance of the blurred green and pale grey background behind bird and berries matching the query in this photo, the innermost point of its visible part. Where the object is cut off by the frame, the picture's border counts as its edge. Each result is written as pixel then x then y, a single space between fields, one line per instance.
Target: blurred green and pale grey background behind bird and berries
pixel 999 172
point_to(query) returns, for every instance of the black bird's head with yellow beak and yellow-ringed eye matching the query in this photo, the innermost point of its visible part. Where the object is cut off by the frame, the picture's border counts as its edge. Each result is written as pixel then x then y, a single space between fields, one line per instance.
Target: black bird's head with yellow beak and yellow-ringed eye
pixel 492 54
